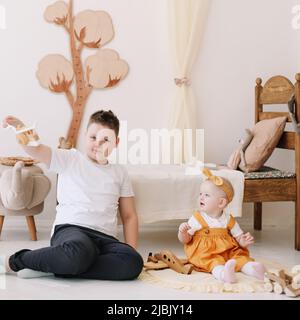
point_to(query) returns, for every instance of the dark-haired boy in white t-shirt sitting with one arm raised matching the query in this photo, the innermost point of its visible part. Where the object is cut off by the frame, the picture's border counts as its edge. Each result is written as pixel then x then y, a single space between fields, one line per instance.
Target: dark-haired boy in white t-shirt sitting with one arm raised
pixel 89 192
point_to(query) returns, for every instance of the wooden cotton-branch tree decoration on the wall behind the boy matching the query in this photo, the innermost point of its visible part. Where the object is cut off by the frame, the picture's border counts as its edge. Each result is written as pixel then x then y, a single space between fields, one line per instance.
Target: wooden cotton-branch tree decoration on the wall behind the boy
pixel 105 69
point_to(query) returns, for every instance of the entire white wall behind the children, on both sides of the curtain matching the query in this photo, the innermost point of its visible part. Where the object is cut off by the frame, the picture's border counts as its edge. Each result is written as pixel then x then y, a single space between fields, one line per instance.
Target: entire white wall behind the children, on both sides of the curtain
pixel 244 39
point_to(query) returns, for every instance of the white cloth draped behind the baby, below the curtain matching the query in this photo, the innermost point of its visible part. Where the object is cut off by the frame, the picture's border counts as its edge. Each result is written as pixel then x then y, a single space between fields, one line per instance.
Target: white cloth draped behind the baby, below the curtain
pixel 166 192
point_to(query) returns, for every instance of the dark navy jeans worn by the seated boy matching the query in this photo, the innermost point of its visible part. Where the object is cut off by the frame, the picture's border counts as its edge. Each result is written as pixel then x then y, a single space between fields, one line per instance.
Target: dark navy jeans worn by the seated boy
pixel 79 252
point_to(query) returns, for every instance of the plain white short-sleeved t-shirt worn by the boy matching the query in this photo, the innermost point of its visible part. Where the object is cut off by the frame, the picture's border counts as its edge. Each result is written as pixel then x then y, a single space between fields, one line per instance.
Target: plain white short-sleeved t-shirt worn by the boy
pixel 88 193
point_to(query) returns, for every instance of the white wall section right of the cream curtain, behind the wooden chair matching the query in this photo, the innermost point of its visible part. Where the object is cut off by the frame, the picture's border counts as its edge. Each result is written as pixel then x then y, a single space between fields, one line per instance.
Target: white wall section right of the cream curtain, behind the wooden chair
pixel 244 40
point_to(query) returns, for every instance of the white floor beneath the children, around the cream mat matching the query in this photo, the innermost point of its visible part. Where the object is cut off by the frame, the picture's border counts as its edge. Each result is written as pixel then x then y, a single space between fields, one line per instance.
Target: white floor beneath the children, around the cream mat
pixel 272 243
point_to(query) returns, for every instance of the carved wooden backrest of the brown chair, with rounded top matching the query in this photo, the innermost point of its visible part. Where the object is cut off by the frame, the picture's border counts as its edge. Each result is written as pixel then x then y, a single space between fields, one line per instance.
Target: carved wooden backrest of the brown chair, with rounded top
pixel 278 90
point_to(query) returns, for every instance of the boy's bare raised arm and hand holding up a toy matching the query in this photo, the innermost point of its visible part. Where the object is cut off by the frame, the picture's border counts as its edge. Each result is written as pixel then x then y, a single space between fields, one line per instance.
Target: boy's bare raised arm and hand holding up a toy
pixel 41 153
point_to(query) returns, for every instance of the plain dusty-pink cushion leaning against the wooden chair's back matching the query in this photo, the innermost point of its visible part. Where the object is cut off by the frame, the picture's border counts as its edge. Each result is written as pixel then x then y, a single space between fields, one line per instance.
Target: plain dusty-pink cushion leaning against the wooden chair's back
pixel 266 135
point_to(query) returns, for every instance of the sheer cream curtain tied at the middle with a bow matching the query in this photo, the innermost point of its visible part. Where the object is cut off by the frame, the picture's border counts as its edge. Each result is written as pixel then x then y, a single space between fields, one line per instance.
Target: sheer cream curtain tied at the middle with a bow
pixel 186 23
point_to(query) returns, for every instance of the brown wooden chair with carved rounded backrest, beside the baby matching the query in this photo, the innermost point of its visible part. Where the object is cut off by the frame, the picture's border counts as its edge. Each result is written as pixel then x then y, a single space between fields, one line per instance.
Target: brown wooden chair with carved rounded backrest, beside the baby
pixel 277 90
